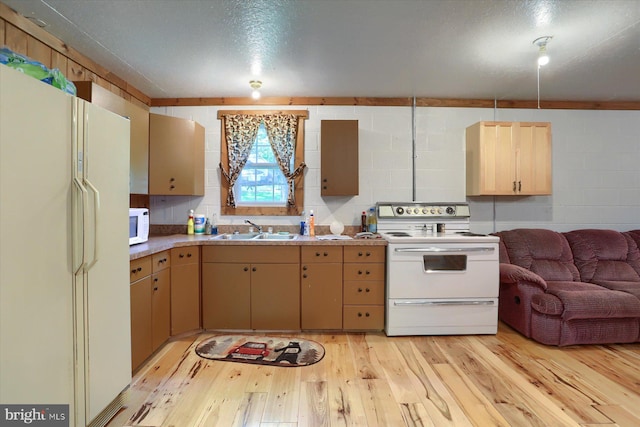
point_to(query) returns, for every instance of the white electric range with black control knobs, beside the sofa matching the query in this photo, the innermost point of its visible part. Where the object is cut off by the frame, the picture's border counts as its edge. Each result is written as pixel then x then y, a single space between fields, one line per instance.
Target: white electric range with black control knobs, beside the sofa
pixel 441 278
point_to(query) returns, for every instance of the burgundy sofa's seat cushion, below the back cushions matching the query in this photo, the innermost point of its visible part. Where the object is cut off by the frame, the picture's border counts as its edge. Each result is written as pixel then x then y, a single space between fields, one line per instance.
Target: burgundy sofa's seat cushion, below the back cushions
pixel 588 301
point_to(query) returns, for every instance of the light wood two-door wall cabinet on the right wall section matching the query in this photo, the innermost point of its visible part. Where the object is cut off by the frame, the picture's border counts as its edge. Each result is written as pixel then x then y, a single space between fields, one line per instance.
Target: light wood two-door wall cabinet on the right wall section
pixel 508 158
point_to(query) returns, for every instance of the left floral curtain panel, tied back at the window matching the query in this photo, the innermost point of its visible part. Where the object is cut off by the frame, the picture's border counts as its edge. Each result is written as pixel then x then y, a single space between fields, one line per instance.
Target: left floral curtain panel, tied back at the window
pixel 241 131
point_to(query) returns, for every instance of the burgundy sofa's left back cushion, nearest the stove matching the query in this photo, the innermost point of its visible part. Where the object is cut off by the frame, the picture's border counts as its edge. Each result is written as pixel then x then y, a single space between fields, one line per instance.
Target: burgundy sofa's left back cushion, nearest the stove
pixel 545 252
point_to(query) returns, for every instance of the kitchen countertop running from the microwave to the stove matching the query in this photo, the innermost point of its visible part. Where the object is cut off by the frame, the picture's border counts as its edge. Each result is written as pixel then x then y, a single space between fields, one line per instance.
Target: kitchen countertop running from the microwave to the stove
pixel 162 243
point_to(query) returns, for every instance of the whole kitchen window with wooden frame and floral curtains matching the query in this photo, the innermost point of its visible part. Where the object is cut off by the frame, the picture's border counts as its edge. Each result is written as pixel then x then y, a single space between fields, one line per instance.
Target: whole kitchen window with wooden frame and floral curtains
pixel 262 162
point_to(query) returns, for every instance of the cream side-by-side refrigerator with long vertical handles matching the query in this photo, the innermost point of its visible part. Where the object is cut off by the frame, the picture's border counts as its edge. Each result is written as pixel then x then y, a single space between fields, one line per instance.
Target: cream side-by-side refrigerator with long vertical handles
pixel 64 255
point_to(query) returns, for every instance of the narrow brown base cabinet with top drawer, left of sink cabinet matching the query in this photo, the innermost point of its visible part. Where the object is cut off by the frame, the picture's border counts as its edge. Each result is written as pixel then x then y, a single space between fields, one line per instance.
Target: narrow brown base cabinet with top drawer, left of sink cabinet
pixel 185 289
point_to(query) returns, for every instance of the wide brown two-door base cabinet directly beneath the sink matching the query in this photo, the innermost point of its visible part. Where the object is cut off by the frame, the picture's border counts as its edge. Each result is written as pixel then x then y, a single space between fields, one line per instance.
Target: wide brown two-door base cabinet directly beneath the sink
pixel 251 287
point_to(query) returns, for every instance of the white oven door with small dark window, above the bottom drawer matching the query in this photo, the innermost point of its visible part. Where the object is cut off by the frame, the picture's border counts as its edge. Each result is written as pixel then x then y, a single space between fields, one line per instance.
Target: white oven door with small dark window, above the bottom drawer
pixel 448 270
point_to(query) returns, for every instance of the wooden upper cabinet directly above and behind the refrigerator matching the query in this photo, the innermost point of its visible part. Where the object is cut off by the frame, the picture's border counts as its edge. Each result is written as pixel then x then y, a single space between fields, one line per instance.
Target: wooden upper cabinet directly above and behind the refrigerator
pixel 139 122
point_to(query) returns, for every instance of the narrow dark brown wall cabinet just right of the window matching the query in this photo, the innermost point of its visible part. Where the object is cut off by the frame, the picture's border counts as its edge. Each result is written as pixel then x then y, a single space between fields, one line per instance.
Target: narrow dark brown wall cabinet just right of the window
pixel 339 158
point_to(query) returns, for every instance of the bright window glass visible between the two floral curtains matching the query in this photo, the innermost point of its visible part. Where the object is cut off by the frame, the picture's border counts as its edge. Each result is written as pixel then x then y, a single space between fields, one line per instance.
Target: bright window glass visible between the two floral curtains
pixel 261 182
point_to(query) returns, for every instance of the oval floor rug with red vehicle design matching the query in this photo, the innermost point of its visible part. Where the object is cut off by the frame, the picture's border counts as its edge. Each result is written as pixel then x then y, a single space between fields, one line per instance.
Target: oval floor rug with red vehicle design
pixel 262 350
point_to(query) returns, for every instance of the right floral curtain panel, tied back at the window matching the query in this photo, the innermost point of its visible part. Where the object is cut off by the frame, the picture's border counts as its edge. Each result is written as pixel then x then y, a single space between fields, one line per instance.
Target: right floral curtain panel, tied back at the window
pixel 282 130
